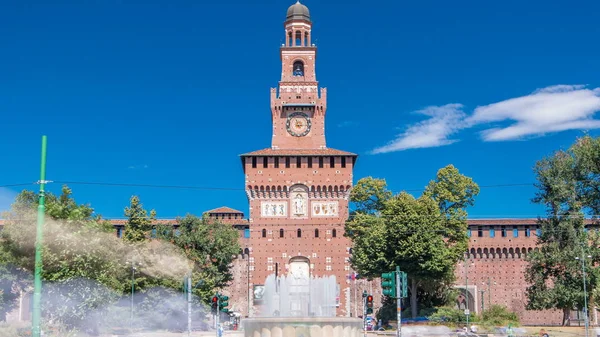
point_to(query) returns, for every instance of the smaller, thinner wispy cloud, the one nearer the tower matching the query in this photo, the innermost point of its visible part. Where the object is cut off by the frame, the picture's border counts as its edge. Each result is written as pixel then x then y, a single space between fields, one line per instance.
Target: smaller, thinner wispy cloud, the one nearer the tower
pixel 435 131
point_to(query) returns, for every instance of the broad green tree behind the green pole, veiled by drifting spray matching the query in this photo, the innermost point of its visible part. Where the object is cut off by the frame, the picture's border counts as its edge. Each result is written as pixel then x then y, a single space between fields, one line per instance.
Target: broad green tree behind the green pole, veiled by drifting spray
pixel 77 245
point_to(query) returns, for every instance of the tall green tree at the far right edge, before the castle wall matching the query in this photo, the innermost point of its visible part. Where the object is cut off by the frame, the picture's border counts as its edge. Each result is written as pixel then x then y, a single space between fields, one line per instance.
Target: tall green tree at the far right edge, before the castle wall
pixel 566 187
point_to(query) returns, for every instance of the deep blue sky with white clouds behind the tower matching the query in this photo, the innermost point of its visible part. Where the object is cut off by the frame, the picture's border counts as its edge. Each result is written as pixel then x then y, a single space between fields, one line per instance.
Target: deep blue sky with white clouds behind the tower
pixel 171 92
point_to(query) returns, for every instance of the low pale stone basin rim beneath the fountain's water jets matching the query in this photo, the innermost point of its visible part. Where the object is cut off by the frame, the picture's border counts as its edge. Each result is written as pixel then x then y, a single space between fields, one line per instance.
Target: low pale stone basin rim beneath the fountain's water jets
pixel 302 327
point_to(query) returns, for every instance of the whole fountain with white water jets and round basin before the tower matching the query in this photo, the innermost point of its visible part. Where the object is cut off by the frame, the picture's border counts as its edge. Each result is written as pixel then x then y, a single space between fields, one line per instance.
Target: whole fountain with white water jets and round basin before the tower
pixel 299 304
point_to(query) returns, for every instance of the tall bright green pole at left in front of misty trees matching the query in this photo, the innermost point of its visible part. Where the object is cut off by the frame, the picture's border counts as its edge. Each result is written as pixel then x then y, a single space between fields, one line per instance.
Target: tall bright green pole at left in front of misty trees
pixel 37 285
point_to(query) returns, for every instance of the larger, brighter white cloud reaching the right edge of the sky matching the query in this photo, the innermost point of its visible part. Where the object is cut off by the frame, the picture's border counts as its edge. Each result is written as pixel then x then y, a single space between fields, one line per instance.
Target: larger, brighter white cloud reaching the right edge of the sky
pixel 551 109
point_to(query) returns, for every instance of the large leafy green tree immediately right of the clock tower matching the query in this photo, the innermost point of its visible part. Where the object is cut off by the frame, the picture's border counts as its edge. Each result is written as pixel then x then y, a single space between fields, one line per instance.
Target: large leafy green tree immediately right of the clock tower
pixel 425 236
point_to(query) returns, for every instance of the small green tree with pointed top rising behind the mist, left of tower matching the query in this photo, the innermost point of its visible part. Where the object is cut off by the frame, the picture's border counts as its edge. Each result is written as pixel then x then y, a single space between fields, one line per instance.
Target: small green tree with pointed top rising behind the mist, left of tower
pixel 138 222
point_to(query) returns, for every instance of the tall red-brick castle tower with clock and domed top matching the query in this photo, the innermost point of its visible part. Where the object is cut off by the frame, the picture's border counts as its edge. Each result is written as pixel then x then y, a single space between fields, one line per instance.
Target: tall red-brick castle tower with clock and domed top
pixel 298 188
